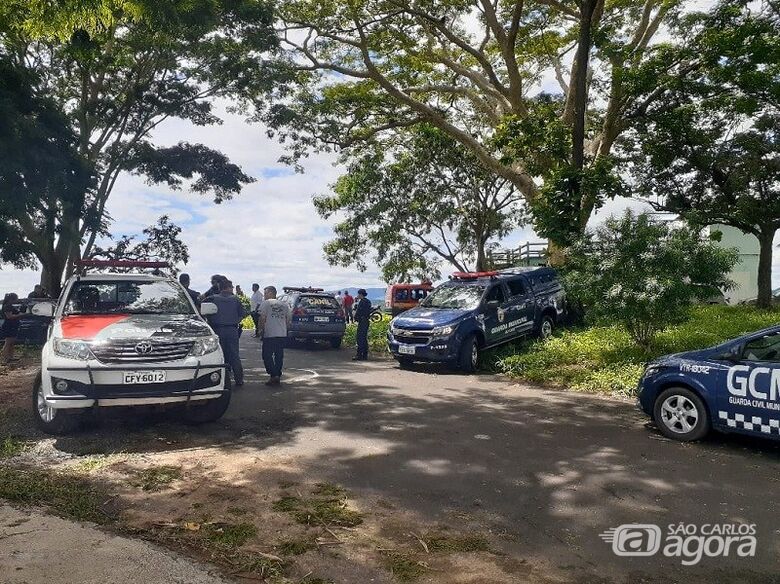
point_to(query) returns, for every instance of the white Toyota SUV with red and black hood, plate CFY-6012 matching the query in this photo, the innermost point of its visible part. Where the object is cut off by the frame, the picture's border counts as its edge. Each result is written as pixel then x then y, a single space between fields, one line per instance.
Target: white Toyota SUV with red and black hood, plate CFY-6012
pixel 126 340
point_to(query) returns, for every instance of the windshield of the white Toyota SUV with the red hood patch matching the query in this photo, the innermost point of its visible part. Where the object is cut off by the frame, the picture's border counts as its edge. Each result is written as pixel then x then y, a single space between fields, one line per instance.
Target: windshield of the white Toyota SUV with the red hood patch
pixel 127 297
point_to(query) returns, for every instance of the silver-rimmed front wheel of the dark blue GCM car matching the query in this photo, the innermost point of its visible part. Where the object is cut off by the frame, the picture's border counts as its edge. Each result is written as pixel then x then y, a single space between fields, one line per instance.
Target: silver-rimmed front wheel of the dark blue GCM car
pixel 681 414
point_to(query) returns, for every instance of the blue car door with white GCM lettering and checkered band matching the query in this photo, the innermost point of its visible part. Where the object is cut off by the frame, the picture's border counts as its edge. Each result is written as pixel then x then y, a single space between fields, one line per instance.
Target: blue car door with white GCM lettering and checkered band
pixel 749 399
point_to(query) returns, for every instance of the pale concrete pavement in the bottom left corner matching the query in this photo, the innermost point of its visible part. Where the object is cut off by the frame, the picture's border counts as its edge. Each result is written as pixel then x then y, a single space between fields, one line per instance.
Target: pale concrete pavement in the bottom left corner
pixel 37 548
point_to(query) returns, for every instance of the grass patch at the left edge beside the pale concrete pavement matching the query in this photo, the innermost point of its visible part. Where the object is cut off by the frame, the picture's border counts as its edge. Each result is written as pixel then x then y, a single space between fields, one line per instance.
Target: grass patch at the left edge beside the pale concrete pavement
pixel 67 495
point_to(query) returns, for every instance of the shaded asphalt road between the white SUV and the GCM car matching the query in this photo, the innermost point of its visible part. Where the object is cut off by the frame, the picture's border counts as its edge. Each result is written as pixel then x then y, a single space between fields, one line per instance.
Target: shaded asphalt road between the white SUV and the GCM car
pixel 549 471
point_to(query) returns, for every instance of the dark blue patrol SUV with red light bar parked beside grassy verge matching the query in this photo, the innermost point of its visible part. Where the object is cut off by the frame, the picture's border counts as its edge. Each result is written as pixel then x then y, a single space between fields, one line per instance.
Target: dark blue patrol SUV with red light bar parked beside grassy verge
pixel 474 311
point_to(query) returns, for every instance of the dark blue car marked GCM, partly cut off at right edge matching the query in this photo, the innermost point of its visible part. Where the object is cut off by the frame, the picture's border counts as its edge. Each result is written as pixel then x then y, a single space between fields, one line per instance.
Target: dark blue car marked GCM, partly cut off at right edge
pixel 732 387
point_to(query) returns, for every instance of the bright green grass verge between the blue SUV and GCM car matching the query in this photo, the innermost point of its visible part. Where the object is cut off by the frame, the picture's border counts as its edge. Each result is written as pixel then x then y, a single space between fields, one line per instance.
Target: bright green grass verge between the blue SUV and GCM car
pixel 603 359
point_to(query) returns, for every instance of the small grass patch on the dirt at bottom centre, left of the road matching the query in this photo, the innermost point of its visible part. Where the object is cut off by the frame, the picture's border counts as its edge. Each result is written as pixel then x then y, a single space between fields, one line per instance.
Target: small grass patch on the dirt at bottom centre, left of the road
pixel 327 505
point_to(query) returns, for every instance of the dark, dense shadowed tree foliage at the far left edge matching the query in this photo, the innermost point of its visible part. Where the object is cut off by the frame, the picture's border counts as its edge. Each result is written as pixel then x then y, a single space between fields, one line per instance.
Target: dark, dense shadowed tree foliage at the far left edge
pixel 43 180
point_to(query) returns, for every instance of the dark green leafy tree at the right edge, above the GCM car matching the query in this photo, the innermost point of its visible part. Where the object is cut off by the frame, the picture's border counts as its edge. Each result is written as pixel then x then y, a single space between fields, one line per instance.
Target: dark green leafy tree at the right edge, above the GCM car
pixel 709 147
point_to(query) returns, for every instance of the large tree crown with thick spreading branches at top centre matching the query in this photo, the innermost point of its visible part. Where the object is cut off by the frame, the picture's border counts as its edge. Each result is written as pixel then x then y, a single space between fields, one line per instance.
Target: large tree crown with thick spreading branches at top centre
pixel 470 69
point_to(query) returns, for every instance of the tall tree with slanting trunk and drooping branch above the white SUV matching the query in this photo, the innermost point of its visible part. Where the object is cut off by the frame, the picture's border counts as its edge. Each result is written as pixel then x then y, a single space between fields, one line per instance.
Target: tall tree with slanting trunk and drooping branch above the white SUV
pixel 118 69
